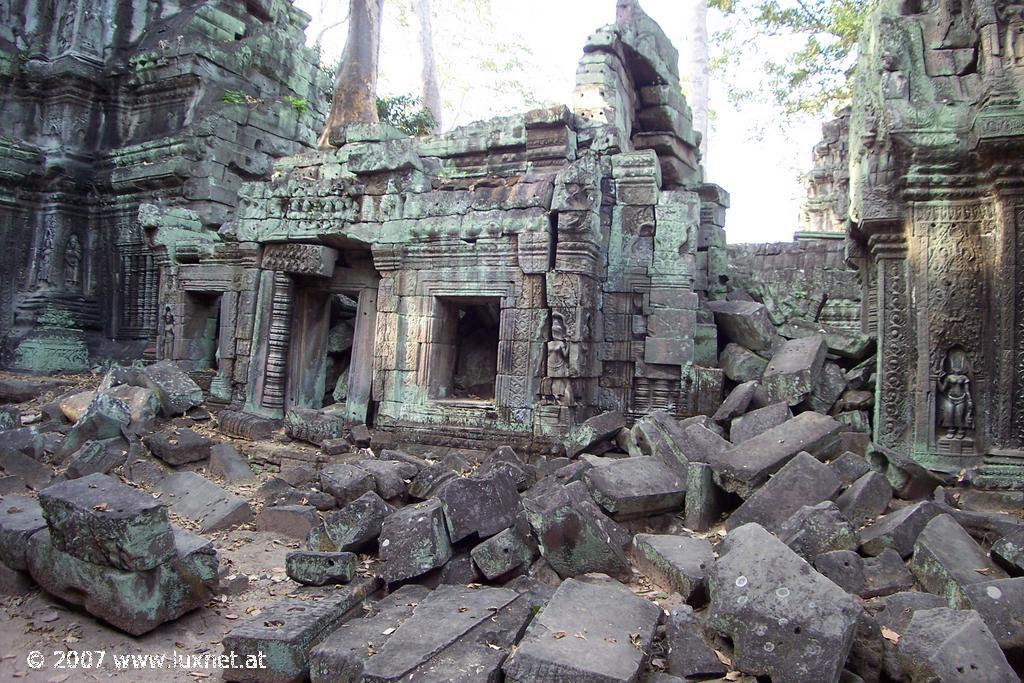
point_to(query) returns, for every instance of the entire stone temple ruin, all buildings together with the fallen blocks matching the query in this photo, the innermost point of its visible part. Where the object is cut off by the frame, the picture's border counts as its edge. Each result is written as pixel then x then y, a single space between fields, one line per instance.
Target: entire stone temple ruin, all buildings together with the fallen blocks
pixel 502 403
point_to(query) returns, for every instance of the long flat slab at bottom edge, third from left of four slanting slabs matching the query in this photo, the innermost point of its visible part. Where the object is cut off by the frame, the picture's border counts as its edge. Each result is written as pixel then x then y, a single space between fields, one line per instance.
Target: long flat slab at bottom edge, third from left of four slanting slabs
pixel 439 621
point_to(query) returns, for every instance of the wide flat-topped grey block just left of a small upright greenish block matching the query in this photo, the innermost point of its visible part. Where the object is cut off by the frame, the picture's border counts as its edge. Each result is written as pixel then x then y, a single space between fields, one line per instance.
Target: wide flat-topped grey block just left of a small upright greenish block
pixel 634 488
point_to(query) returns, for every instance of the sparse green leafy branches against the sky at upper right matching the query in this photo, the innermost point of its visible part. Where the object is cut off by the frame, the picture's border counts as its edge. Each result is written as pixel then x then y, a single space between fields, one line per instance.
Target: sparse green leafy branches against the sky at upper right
pixel 812 74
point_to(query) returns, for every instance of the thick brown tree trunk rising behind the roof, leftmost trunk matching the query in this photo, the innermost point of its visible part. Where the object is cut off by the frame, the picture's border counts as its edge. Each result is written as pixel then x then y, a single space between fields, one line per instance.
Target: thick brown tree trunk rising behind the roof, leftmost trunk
pixel 355 98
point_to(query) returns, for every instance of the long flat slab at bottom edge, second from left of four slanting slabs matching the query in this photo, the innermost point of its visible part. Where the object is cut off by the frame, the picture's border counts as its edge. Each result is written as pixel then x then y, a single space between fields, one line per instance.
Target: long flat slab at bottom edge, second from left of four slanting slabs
pixel 344 654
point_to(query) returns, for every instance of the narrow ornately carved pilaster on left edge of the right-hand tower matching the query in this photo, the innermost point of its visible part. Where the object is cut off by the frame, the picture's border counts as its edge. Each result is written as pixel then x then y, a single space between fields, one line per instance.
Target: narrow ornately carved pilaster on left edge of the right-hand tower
pixel 892 411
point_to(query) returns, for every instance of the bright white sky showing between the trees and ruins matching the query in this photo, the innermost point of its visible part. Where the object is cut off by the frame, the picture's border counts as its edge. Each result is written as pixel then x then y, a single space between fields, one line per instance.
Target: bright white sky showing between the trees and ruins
pixel 760 172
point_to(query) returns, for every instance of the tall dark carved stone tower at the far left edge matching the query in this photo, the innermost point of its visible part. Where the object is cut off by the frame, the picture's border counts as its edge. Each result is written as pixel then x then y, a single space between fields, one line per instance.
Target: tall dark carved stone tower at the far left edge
pixel 107 105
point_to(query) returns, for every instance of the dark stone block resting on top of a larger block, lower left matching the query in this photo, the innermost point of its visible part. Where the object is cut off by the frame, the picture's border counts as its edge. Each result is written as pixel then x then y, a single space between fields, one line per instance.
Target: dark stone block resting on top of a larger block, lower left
pixel 101 521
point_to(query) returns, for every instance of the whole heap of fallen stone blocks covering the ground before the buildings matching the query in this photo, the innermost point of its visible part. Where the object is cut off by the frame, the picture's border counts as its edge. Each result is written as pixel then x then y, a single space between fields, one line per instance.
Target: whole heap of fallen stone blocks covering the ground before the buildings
pixel 751 543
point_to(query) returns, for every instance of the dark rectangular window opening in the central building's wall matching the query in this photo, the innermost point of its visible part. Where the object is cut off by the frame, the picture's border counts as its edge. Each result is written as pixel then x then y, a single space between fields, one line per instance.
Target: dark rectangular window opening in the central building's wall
pixel 465 354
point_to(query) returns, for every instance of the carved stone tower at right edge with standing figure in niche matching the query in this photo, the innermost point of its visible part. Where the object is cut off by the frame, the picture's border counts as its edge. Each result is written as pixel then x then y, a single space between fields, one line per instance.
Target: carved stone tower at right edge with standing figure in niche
pixel 937 207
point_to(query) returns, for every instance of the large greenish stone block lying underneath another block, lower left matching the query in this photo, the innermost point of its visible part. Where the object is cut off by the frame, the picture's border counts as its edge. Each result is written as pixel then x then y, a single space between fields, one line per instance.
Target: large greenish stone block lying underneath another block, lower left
pixel 135 602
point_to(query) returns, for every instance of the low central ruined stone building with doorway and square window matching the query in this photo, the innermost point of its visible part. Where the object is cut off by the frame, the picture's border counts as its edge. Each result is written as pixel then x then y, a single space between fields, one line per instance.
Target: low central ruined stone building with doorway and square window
pixel 501 282
